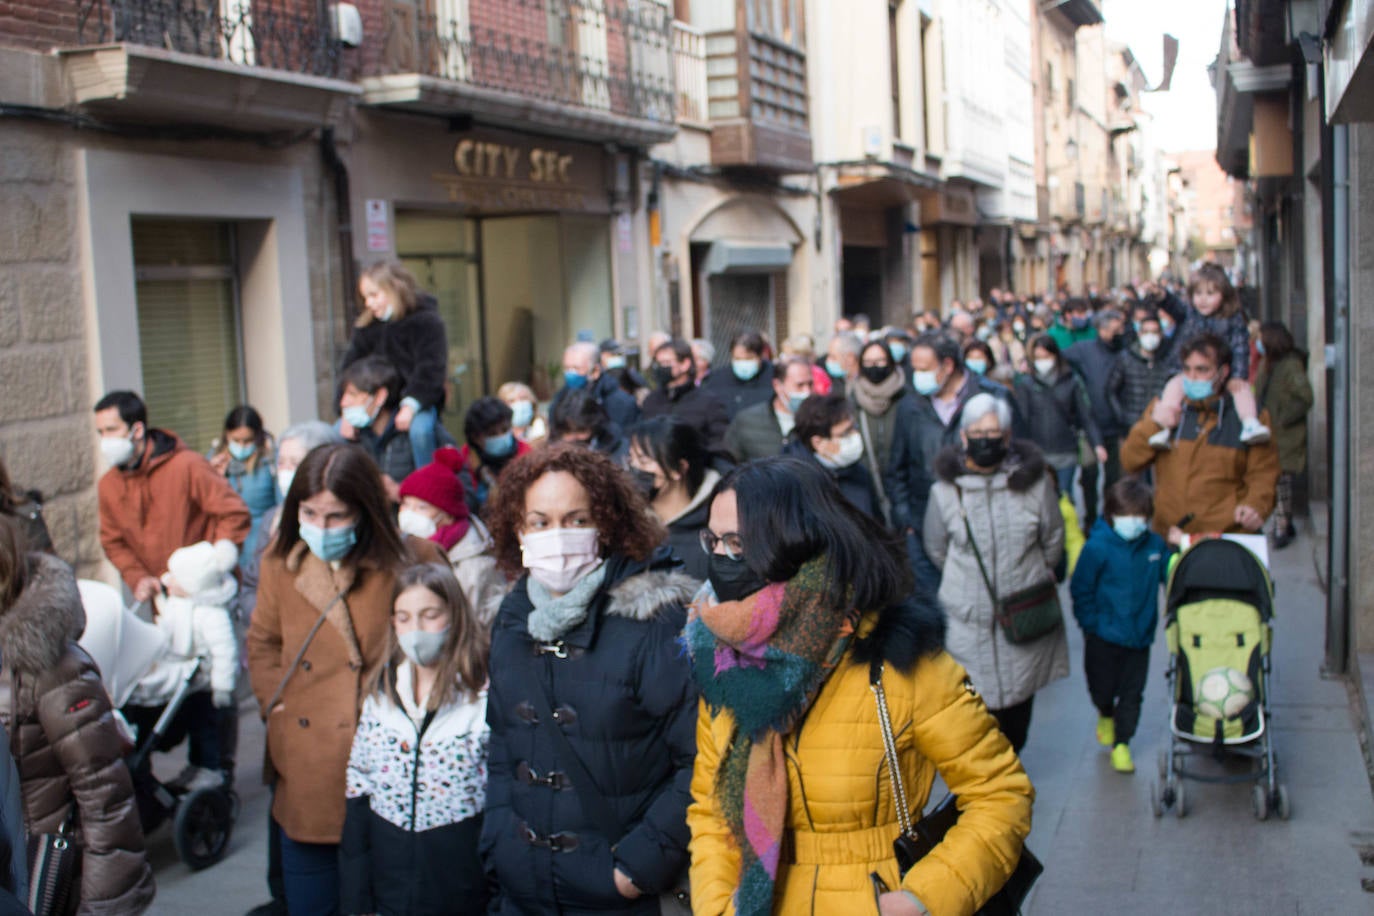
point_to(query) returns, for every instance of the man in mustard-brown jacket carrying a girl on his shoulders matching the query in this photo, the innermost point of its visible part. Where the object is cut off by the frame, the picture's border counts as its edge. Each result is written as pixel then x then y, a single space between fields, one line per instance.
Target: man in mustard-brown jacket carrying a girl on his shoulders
pixel 1207 473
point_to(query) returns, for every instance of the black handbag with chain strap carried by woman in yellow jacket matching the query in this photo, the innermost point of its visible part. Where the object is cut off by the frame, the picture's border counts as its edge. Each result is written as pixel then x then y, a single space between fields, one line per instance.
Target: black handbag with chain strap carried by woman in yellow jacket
pixel 919 838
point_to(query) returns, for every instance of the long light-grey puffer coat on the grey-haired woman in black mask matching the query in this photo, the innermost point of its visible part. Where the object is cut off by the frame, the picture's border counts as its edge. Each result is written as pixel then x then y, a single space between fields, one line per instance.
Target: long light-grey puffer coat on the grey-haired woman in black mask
pixel 1015 516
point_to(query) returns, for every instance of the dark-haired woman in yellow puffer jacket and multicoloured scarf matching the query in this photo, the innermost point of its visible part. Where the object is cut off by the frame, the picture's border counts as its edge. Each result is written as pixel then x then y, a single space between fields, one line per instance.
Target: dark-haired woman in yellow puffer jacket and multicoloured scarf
pixel 792 801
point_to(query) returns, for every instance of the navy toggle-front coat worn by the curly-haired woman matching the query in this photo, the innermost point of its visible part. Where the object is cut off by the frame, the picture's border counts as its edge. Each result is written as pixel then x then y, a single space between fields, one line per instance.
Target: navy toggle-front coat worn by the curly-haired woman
pixel 623 693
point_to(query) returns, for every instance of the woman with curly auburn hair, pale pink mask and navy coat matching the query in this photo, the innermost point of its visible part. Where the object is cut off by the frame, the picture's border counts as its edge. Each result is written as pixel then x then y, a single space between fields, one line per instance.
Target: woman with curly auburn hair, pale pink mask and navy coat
pixel 592 704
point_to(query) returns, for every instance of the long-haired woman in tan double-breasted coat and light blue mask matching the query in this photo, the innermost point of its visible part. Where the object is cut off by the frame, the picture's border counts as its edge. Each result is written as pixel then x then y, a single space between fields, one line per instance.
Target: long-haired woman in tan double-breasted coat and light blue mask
pixel 317 641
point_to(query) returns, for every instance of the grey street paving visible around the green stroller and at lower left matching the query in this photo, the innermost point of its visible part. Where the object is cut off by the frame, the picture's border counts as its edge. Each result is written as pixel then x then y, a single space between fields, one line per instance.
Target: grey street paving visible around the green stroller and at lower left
pixel 1104 852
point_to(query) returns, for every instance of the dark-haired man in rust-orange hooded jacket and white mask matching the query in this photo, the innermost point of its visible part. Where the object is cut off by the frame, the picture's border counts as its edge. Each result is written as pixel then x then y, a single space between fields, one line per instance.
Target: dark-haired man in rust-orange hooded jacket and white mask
pixel 157 496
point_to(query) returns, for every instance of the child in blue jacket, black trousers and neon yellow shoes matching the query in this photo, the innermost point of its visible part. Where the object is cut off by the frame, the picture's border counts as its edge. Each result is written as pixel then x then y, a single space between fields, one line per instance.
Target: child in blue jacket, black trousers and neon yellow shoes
pixel 1116 599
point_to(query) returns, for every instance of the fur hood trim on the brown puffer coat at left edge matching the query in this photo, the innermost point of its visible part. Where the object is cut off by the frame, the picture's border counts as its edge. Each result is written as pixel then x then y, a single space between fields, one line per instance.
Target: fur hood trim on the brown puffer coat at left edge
pixel 47 616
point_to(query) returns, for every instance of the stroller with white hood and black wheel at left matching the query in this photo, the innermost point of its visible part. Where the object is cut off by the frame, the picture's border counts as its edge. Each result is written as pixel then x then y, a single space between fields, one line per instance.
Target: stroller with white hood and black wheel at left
pixel 126 648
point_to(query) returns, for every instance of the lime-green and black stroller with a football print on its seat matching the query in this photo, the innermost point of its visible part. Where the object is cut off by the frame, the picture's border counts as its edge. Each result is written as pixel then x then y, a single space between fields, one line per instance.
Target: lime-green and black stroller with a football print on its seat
pixel 1219 631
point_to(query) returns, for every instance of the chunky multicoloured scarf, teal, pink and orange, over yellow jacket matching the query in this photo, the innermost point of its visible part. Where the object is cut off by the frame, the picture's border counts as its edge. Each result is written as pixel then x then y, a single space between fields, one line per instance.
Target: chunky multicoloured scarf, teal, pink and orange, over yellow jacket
pixel 765 660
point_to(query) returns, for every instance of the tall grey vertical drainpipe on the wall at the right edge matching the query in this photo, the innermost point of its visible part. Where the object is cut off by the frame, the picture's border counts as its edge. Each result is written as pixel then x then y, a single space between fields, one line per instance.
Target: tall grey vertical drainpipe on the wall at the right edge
pixel 1338 594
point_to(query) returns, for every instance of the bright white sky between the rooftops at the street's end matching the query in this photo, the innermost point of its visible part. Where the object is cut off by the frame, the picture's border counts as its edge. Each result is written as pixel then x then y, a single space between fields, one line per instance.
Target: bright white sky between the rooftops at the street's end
pixel 1186 115
